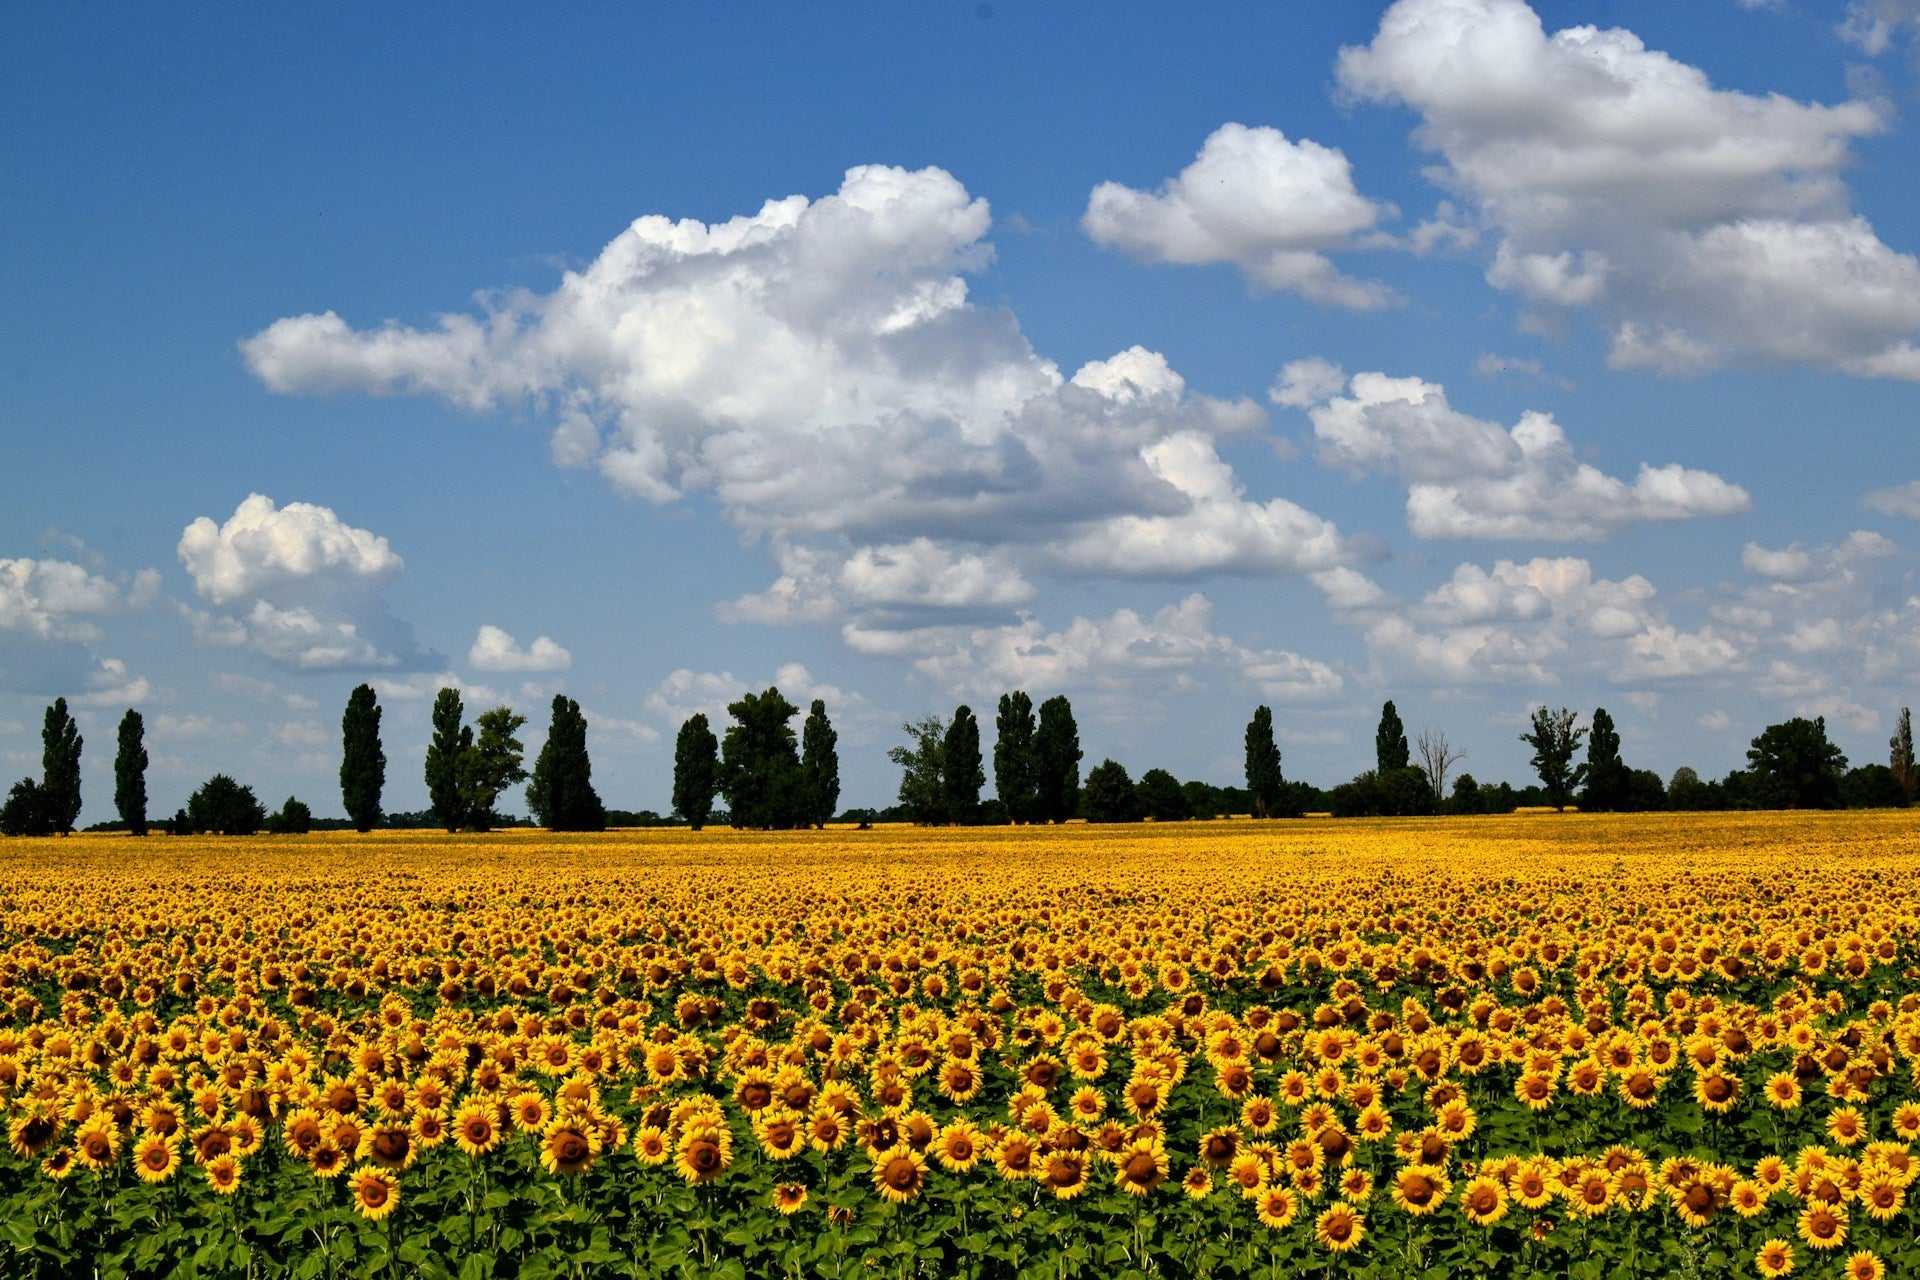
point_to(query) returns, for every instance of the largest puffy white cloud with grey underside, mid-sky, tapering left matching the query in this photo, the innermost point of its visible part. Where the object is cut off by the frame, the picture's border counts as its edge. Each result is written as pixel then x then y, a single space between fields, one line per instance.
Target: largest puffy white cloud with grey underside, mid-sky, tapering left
pixel 823 373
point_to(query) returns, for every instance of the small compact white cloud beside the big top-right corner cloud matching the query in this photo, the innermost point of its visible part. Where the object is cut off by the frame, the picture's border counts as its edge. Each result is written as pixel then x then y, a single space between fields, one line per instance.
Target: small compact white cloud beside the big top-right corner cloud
pixel 1253 199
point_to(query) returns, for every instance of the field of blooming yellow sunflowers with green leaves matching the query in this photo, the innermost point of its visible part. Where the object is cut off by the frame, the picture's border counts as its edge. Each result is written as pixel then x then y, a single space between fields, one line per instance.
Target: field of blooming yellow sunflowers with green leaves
pixel 1504 1047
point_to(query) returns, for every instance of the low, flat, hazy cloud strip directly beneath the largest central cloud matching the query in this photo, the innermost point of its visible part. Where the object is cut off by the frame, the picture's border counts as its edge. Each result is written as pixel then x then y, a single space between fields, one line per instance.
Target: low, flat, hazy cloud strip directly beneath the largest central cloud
pixel 1170 648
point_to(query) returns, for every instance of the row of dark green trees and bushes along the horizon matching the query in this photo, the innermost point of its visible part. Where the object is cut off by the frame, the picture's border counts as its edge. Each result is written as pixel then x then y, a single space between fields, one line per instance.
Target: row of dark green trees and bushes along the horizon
pixel 775 778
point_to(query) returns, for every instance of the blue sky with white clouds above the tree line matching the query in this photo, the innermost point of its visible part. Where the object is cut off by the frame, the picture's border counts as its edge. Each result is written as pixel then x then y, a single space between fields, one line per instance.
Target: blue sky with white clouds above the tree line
pixel 1458 352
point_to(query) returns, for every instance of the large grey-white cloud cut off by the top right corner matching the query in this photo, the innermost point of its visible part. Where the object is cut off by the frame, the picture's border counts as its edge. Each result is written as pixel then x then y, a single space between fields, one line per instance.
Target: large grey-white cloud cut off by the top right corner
pixel 1704 227
